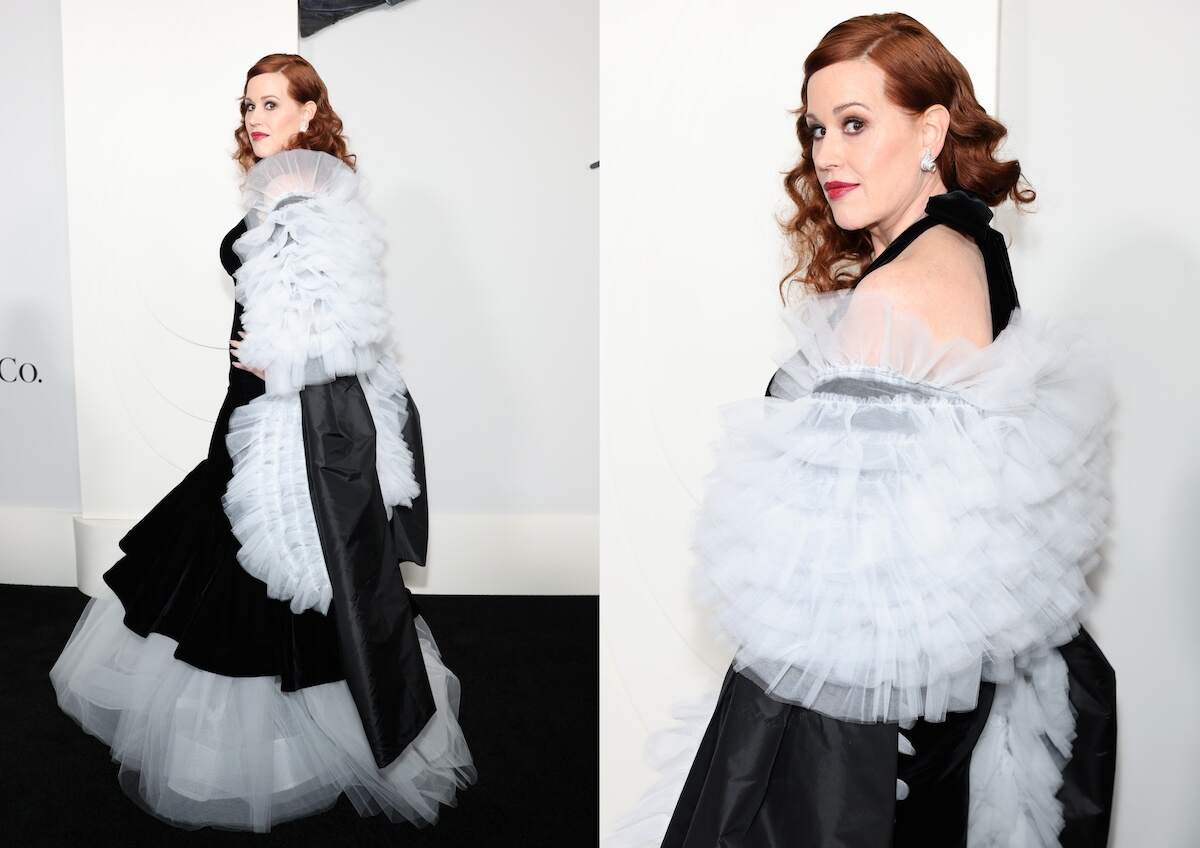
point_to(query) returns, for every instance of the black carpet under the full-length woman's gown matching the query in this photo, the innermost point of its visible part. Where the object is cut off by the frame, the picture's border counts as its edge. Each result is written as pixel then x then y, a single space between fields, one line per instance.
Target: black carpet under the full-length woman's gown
pixel 530 673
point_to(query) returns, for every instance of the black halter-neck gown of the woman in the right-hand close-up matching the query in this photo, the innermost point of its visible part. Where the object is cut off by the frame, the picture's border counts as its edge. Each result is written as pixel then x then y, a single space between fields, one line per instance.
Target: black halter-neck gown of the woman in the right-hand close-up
pixel 772 775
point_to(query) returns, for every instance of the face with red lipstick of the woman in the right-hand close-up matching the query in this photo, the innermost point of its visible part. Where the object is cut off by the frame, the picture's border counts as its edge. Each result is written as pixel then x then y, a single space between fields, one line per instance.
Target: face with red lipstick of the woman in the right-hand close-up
pixel 861 139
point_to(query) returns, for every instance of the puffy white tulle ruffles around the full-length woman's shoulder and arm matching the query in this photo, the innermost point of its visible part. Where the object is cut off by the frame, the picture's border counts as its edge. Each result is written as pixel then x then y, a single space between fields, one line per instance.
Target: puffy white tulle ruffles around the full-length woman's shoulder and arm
pixel 311 279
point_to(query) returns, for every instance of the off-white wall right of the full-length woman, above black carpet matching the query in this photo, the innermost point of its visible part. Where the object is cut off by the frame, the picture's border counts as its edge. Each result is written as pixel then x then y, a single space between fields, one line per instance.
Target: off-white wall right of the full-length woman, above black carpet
pixel 476 123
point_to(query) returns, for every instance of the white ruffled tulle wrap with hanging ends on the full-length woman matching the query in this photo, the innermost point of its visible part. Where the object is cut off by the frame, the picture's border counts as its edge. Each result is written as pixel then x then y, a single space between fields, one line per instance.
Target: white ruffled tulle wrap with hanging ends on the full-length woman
pixel 315 309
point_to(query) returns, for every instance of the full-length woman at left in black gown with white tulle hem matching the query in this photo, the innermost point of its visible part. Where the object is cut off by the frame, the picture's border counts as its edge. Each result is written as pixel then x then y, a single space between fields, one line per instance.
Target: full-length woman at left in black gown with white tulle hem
pixel 262 654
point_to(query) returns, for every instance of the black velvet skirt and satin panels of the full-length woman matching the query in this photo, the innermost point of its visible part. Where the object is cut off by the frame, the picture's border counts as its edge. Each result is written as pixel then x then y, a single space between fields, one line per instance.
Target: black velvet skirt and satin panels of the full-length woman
pixel 181 578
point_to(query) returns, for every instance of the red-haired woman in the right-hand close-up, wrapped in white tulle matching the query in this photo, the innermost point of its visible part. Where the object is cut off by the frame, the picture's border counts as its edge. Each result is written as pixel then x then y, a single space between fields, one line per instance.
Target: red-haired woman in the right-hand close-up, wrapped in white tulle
pixel 897 537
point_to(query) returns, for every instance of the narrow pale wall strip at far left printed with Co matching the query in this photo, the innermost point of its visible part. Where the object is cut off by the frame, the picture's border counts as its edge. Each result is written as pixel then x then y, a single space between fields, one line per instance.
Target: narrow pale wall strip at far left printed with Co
pixel 40 480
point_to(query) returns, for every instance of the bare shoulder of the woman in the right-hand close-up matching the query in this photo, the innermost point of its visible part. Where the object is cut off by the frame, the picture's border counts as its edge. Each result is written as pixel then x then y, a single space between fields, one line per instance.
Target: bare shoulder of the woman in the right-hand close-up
pixel 941 278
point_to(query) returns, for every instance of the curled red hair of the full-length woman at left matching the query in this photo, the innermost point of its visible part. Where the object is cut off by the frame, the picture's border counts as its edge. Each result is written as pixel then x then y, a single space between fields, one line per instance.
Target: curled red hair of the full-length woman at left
pixel 325 133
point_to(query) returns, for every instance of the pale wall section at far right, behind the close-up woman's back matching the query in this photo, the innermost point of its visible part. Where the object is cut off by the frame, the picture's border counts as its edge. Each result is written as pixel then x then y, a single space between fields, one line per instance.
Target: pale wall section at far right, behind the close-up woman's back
pixel 1099 110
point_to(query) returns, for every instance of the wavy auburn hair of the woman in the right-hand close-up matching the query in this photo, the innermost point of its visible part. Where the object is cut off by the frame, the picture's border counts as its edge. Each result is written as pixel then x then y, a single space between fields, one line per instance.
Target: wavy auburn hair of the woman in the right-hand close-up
pixel 920 74
